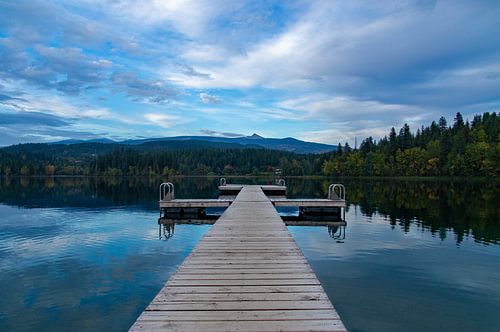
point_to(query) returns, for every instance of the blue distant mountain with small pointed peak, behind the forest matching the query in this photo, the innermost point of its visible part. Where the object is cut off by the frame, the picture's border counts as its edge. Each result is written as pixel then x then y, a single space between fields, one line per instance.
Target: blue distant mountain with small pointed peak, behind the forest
pixel 285 144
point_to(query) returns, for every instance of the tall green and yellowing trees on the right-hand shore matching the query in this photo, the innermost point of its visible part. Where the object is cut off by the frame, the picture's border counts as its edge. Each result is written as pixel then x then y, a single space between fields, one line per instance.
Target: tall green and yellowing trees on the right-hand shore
pixel 462 150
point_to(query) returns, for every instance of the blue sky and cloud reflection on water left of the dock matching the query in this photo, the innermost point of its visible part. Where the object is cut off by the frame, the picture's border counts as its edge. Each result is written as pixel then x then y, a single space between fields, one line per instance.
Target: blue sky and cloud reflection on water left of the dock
pixel 63 267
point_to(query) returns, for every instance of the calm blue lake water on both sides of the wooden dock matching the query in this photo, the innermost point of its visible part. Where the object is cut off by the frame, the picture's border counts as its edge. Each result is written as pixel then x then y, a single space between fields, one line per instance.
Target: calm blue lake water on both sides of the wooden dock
pixel 86 254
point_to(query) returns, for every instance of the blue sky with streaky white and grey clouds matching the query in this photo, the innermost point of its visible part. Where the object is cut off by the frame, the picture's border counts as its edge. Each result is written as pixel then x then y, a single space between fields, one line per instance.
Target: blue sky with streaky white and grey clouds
pixel 322 71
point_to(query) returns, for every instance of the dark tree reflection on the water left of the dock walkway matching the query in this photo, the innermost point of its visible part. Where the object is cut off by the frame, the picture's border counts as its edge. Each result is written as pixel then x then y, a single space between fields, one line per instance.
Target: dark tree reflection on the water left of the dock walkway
pixel 97 191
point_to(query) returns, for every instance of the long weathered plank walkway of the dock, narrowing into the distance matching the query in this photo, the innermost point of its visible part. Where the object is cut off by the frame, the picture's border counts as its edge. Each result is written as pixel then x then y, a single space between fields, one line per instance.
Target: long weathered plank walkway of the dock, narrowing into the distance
pixel 246 274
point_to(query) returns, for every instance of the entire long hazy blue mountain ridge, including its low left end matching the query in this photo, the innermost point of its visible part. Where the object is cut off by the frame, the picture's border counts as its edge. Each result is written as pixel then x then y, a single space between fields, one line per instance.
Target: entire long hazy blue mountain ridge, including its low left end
pixel 285 144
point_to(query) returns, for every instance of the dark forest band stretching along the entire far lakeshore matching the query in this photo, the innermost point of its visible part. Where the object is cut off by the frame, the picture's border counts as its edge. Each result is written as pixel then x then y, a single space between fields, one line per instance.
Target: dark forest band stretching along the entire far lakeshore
pixel 462 148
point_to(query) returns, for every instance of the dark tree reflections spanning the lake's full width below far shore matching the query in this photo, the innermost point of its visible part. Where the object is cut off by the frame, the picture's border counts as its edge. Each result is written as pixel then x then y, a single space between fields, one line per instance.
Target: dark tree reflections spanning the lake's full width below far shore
pixel 465 207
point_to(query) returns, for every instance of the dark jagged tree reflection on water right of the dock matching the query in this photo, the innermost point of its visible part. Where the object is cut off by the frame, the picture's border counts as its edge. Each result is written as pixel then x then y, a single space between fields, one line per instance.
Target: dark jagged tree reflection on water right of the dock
pixel 465 207
